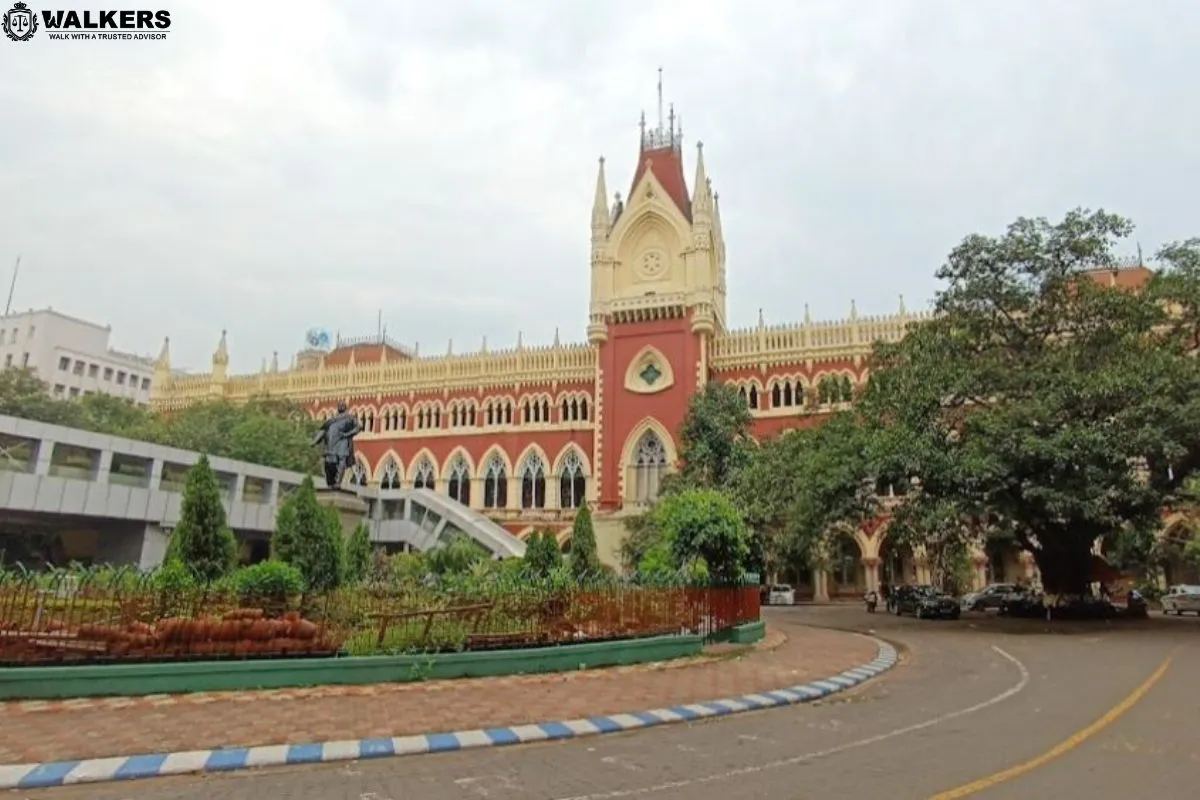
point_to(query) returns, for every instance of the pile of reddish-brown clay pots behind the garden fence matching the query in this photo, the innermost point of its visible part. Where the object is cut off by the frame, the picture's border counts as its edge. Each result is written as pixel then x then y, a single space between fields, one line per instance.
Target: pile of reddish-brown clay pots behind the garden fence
pixel 241 633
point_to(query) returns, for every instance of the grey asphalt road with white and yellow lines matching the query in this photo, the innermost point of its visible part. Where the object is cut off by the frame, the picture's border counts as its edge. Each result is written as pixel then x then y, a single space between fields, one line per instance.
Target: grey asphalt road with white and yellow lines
pixel 970 700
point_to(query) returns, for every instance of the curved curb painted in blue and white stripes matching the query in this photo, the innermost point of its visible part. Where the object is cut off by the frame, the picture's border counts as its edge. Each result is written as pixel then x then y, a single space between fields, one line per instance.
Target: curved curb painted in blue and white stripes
pixel 123 768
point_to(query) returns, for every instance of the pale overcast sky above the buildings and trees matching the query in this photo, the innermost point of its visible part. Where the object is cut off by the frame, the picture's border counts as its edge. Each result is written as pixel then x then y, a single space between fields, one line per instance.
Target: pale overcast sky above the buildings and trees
pixel 279 166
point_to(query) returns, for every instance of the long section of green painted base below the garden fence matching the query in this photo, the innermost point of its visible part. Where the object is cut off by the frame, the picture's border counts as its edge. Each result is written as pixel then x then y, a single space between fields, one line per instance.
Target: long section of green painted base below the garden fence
pixel 134 681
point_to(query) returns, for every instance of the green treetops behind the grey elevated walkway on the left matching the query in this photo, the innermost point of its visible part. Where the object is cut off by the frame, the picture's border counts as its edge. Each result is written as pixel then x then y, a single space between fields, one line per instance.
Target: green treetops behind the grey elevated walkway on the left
pixel 265 431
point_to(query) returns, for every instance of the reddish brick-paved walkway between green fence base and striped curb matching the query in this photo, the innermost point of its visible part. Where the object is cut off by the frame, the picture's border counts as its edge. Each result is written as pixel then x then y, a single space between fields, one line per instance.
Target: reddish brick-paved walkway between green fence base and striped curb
pixel 46 732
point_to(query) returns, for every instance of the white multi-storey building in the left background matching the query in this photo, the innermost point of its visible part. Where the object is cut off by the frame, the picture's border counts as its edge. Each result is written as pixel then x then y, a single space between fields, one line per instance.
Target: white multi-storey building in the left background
pixel 74 357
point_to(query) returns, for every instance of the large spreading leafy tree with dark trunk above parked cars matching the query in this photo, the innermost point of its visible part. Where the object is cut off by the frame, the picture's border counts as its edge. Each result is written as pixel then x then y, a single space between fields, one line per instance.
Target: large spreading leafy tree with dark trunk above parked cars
pixel 1029 404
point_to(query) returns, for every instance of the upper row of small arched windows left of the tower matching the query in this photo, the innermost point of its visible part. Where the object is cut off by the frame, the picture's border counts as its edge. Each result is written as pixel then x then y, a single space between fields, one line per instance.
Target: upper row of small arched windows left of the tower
pixel 463 414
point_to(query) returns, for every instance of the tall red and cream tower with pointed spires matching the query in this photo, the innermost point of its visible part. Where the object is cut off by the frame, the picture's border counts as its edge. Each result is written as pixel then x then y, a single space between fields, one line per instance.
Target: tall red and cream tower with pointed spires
pixel 658 298
